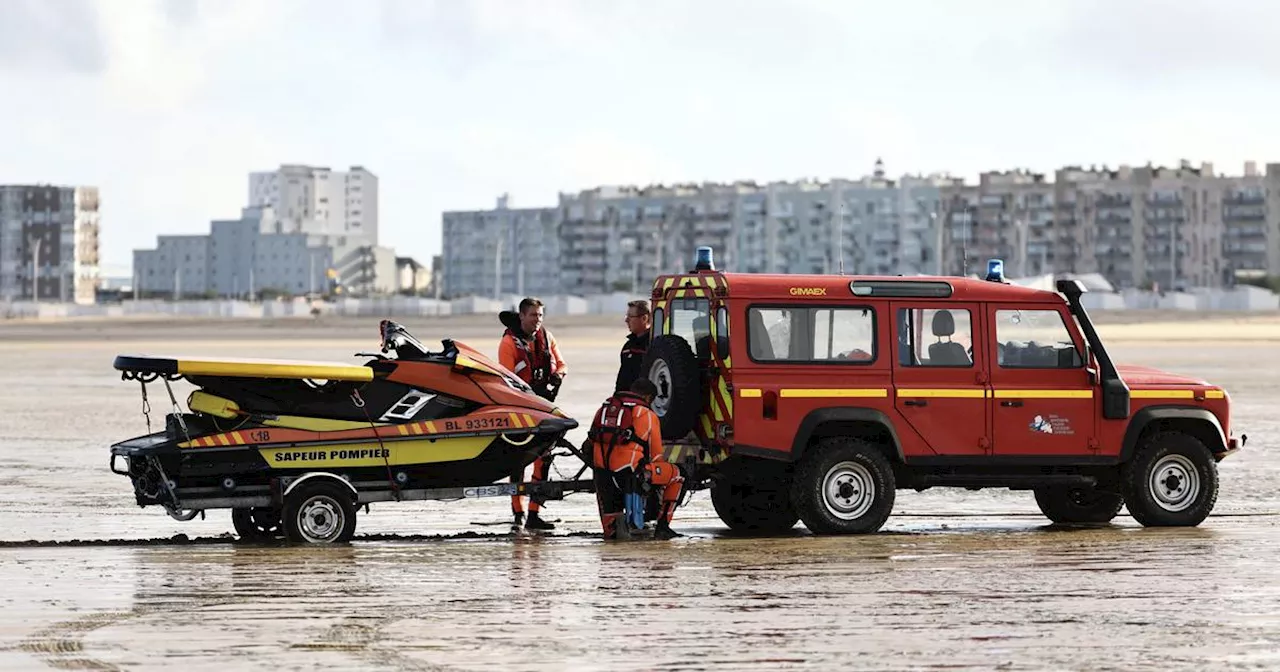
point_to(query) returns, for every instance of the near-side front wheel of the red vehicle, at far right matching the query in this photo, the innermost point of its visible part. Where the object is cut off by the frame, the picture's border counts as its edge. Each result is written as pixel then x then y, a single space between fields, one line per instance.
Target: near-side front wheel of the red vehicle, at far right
pixel 1172 482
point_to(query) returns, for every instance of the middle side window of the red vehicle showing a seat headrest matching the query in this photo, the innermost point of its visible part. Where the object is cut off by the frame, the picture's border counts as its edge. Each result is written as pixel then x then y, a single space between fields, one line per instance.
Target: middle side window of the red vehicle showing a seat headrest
pixel 935 337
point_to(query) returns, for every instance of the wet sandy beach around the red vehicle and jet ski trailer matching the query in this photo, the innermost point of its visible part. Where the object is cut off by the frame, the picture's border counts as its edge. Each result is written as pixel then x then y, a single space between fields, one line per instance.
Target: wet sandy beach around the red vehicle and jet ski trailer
pixel 958 579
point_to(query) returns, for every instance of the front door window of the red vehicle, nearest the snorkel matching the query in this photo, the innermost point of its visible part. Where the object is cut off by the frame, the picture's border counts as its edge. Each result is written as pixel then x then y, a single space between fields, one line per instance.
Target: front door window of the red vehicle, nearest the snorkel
pixel 1035 340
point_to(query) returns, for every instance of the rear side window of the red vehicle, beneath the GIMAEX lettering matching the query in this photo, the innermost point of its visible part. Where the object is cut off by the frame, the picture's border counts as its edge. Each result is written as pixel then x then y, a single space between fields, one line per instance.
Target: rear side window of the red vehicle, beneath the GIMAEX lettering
pixel 812 335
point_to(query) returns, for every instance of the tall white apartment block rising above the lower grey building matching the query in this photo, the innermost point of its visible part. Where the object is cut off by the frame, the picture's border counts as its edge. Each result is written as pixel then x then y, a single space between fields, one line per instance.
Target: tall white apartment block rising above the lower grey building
pixel 321 202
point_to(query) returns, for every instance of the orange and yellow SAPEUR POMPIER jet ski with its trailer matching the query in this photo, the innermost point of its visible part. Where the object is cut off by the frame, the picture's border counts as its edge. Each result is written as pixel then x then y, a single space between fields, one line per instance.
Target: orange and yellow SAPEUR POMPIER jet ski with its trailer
pixel 294 447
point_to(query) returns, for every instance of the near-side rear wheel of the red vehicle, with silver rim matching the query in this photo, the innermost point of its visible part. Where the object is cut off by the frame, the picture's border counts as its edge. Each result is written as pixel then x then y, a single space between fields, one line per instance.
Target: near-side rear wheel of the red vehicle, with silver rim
pixel 844 486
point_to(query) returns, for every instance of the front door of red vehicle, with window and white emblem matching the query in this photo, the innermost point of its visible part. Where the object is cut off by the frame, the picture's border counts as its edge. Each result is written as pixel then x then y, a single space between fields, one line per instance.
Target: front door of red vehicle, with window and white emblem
pixel 1043 399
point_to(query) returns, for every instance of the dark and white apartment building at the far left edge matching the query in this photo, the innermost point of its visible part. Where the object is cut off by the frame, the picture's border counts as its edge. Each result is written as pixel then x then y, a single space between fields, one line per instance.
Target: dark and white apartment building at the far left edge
pixel 49 243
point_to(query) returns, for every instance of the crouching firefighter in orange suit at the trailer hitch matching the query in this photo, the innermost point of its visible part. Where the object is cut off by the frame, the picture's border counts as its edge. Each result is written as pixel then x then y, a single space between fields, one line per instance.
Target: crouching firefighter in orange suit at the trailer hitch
pixel 629 464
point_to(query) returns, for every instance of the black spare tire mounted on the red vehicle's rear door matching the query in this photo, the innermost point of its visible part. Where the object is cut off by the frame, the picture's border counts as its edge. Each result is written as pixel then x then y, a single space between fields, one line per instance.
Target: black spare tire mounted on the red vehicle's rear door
pixel 671 365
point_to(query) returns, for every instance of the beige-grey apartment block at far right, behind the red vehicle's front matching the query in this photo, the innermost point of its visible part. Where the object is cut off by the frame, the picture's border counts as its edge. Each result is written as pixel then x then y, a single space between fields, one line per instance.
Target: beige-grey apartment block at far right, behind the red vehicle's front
pixel 1137 227
